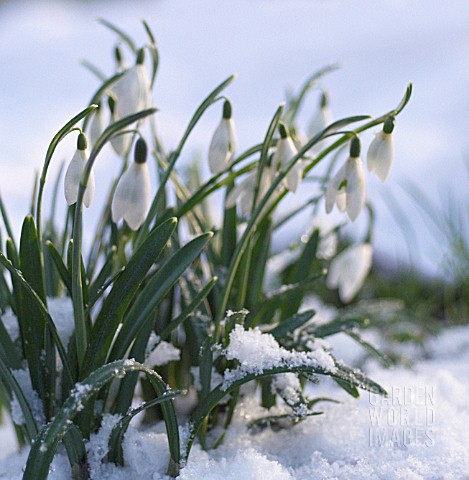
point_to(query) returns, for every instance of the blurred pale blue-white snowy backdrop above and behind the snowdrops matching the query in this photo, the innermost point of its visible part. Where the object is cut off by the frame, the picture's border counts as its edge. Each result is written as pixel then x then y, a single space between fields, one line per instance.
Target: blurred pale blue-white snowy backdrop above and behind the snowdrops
pixel 272 45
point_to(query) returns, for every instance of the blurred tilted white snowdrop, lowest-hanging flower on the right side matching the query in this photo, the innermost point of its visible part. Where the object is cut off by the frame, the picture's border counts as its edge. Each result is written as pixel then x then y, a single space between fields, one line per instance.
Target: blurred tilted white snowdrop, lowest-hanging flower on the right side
pixel 349 269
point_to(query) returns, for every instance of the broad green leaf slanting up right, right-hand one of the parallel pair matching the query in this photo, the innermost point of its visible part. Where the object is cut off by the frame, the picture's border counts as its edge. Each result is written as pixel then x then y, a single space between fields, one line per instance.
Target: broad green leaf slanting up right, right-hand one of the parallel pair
pixel 155 291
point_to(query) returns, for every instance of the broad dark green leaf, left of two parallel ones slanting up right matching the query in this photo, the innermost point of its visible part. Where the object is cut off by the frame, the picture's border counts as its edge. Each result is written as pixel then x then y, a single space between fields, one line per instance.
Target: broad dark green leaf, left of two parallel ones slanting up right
pixel 122 293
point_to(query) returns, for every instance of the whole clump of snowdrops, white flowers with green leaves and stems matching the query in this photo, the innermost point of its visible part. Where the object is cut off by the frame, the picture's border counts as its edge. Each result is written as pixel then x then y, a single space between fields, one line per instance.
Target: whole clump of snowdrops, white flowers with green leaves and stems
pixel 163 304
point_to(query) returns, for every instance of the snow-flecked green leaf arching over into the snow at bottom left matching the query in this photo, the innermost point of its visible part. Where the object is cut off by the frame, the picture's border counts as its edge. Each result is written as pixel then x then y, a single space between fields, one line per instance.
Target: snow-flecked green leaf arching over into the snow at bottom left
pixel 43 450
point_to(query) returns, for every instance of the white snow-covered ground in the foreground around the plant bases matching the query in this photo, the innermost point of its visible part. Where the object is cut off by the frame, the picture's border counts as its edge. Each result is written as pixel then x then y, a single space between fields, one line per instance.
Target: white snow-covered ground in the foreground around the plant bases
pixel 418 432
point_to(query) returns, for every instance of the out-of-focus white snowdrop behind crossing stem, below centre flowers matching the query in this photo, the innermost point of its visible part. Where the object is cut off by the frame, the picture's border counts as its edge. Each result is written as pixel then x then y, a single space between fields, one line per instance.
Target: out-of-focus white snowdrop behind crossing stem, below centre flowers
pixel 244 191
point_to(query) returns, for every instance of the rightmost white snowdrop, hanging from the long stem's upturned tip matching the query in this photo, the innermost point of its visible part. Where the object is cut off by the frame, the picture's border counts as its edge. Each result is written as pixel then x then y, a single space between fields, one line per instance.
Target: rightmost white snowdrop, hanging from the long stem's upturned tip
pixel 381 151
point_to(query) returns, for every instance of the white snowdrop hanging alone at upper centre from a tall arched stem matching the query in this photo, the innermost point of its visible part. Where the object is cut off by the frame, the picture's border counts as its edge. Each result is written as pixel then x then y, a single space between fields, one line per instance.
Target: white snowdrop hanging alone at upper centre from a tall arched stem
pixel 223 145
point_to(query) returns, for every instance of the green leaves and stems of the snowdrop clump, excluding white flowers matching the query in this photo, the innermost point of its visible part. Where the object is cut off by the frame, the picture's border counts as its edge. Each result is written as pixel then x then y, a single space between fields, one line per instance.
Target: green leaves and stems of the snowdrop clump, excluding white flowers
pixel 169 281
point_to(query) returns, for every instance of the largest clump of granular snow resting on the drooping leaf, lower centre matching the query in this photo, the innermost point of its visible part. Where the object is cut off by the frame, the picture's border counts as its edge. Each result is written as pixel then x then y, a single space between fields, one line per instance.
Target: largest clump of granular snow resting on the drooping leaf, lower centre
pixel 257 351
